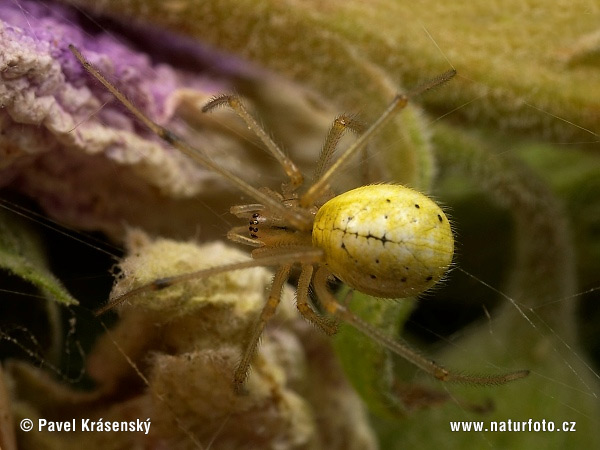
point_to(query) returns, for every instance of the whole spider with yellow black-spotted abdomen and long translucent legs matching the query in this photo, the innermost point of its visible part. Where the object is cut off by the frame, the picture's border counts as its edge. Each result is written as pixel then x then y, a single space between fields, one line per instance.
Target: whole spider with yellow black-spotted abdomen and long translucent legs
pixel 385 240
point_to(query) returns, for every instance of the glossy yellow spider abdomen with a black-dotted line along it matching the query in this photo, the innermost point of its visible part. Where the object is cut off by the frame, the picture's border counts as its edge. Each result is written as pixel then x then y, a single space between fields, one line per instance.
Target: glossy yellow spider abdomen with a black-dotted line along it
pixel 385 240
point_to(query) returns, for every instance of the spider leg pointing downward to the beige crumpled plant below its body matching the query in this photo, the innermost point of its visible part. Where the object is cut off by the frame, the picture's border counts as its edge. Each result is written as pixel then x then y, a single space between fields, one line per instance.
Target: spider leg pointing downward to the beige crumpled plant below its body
pixel 241 372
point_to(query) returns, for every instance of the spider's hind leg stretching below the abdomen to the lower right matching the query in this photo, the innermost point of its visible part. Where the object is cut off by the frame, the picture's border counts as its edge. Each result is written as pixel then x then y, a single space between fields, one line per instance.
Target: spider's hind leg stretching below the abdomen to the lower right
pixel 399 347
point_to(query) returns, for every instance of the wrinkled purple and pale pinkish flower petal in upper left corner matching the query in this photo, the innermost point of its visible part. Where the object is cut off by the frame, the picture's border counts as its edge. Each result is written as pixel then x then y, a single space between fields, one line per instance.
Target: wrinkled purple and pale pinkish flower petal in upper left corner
pixel 68 143
